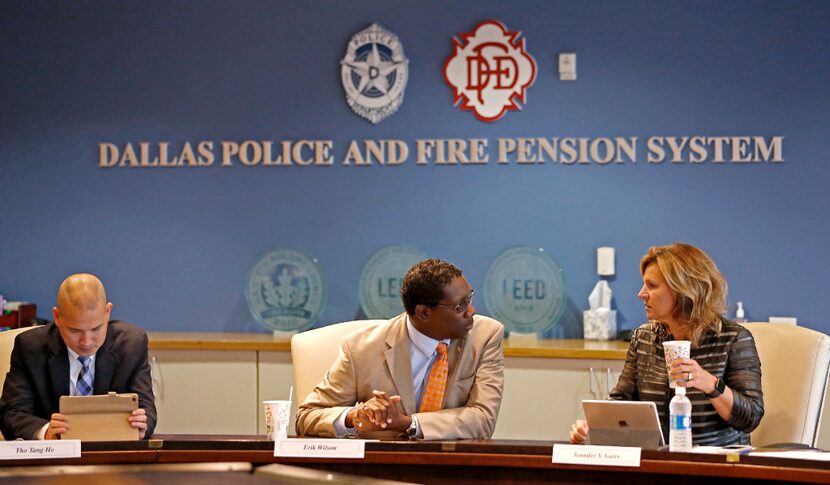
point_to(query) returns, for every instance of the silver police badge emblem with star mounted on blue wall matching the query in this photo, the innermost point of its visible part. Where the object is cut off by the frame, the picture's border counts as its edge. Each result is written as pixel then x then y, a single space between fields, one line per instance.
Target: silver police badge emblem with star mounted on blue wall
pixel 374 72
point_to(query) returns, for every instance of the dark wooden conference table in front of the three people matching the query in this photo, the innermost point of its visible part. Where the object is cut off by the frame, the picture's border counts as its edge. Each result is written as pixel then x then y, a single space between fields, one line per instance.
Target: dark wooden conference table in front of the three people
pixel 457 462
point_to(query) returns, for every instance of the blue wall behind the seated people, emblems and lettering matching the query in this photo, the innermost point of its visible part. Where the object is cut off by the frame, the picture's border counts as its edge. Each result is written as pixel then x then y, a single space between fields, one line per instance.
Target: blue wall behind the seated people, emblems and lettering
pixel 174 246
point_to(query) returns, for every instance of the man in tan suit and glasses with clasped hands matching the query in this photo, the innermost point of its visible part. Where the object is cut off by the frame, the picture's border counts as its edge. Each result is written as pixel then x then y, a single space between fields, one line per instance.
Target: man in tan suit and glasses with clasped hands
pixel 376 386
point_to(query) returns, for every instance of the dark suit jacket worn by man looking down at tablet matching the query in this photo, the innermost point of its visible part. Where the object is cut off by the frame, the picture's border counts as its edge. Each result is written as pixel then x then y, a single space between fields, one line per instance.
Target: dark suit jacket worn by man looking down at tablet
pixel 39 376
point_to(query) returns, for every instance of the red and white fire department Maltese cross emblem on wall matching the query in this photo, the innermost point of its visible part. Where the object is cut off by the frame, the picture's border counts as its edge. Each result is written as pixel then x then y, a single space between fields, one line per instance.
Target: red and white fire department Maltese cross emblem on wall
pixel 489 70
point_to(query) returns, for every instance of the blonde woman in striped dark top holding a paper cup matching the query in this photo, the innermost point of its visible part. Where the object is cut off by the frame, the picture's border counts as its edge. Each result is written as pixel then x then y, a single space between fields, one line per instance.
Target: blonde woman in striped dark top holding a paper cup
pixel 684 296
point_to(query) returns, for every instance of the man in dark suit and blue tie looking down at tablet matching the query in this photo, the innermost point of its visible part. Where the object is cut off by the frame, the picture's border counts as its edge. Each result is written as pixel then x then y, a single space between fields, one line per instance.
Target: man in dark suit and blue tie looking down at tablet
pixel 81 352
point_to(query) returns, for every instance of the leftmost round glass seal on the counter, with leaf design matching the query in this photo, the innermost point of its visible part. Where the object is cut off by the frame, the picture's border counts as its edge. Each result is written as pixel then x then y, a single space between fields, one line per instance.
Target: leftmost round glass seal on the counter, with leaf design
pixel 285 291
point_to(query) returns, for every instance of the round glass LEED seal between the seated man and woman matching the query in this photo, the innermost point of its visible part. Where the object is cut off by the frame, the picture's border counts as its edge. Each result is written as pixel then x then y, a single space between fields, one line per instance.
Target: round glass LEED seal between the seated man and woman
pixel 525 289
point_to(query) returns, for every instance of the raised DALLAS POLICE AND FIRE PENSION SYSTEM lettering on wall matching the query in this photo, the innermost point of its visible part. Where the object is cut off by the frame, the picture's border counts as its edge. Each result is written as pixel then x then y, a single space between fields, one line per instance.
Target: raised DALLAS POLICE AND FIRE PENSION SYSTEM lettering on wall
pixel 743 149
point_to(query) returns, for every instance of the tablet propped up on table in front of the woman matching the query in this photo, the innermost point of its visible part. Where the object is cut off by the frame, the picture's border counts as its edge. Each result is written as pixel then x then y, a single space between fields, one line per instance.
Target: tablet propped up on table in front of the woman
pixel 623 423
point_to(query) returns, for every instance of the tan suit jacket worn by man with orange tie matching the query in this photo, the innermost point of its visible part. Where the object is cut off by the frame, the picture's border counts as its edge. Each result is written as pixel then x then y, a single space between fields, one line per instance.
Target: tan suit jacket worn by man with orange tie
pixel 378 358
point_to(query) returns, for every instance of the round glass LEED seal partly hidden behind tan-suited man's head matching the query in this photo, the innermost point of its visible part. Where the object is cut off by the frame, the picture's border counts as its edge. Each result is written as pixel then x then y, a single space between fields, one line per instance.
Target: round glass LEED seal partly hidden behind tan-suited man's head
pixel 380 281
